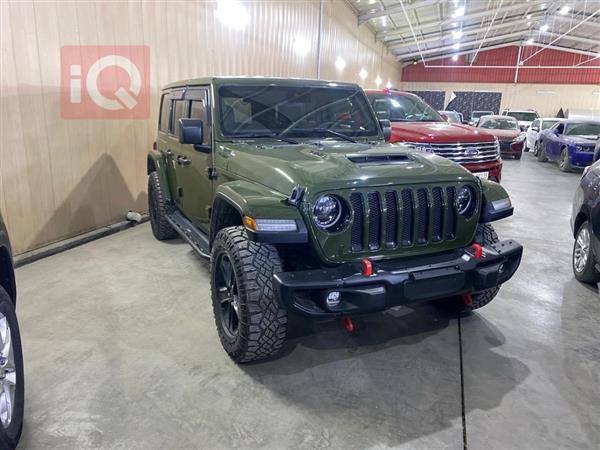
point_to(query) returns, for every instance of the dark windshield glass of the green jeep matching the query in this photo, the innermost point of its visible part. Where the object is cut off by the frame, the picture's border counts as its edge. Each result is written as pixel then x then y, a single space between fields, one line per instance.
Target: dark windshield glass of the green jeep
pixel 305 111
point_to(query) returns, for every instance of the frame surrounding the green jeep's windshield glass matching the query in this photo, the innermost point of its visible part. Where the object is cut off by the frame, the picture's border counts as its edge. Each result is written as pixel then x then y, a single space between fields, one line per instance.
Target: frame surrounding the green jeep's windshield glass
pixel 221 135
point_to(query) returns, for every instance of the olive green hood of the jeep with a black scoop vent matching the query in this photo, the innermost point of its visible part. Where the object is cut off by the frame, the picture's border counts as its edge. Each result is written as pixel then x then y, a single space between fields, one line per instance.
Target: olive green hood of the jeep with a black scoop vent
pixel 333 165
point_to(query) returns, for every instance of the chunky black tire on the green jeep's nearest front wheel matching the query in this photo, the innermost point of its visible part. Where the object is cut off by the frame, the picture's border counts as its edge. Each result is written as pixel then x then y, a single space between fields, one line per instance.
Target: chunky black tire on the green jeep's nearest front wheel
pixel 262 326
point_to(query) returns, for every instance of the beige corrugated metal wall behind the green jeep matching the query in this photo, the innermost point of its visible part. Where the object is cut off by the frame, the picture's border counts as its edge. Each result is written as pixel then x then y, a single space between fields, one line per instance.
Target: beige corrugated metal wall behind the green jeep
pixel 59 178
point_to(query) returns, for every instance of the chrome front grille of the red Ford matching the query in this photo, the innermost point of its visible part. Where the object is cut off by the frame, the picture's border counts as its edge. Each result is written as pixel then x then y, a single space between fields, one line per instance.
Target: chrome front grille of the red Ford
pixel 473 152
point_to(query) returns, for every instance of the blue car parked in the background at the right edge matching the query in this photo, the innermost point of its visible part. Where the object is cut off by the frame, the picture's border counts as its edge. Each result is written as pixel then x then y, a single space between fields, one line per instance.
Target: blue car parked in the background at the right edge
pixel 570 142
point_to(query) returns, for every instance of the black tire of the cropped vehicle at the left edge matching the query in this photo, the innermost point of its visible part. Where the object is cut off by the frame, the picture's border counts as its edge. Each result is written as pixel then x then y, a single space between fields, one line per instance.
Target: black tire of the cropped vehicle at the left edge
pixel 9 436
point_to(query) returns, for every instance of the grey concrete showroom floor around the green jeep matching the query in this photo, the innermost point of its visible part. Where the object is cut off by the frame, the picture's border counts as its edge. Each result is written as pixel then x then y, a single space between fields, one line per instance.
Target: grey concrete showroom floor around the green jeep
pixel 121 353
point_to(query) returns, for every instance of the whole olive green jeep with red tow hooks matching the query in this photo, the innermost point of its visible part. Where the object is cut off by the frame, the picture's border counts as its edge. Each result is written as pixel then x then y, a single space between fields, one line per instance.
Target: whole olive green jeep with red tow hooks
pixel 289 188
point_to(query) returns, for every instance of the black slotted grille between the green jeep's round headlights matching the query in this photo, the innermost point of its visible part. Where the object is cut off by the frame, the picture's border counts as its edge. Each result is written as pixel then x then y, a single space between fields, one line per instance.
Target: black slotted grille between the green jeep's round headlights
pixel 401 218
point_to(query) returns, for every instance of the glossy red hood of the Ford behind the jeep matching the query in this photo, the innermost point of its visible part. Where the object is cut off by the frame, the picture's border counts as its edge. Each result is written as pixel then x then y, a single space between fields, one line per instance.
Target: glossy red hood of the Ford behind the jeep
pixel 437 133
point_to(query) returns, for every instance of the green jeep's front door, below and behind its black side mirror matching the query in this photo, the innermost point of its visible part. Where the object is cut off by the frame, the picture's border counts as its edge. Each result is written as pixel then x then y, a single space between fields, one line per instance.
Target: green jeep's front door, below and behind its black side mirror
pixel 192 165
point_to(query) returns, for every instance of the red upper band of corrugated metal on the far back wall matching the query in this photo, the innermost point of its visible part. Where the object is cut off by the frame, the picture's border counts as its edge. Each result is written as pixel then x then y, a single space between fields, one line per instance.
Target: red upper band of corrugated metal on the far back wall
pixel 507 56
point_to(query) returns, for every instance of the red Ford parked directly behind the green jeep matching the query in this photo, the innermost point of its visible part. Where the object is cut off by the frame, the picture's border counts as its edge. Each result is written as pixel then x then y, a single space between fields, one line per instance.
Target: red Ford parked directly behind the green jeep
pixel 418 125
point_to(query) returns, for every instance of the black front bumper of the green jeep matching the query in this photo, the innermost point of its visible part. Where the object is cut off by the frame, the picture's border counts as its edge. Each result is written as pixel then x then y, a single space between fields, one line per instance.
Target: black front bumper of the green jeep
pixel 396 283
